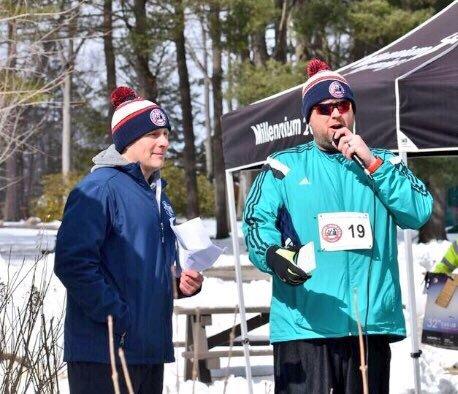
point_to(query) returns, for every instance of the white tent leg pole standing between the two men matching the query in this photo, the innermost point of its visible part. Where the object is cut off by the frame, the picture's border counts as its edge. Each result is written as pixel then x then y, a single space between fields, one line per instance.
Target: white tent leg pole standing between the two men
pixel 238 273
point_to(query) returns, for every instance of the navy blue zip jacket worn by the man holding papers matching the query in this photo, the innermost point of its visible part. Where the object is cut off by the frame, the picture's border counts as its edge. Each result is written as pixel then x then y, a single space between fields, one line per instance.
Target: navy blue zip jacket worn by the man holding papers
pixel 114 254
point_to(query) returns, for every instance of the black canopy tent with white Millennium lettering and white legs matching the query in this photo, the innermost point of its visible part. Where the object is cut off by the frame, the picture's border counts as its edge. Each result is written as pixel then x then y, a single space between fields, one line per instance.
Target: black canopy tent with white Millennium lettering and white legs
pixel 406 97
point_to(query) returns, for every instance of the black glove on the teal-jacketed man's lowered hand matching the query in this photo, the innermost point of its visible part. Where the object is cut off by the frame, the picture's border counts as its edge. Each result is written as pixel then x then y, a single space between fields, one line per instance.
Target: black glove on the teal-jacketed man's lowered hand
pixel 283 262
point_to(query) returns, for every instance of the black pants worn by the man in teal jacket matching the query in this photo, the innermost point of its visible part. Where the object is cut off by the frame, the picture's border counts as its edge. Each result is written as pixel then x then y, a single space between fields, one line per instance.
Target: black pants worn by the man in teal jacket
pixel 330 366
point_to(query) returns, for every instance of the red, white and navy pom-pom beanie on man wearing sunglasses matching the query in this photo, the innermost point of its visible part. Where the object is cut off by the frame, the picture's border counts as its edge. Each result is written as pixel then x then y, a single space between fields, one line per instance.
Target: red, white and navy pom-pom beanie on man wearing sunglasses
pixel 323 84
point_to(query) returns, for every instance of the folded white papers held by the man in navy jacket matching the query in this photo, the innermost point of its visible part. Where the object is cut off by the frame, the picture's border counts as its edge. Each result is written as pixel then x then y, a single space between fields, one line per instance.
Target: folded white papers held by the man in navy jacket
pixel 197 252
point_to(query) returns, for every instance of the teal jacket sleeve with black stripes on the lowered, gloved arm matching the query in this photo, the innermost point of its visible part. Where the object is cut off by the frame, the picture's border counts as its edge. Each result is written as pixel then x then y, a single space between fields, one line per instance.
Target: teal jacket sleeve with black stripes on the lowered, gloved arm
pixel 260 214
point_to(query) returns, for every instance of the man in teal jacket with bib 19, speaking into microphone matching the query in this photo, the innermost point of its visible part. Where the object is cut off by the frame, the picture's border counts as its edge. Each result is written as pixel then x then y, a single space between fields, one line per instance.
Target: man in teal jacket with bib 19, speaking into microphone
pixel 315 193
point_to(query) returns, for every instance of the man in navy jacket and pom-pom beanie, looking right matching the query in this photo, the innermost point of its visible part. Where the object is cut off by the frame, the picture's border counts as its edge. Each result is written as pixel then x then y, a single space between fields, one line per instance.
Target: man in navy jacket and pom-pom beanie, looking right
pixel 114 254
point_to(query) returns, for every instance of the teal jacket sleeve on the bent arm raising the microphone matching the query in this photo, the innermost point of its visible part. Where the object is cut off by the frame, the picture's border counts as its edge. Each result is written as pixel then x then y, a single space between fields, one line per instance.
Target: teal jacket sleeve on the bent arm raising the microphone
pixel 403 194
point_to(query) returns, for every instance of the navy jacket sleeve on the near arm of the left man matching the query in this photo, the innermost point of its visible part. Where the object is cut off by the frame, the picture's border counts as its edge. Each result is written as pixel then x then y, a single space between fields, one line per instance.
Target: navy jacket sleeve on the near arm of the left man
pixel 85 225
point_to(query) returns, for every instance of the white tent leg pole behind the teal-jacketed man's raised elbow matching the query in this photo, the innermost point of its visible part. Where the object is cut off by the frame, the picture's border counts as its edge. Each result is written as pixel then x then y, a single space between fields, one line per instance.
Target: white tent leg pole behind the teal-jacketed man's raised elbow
pixel 415 353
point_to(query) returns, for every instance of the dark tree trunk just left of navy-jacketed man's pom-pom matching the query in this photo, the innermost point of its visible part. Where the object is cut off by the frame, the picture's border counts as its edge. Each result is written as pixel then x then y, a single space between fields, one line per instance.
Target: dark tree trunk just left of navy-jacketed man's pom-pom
pixel 110 61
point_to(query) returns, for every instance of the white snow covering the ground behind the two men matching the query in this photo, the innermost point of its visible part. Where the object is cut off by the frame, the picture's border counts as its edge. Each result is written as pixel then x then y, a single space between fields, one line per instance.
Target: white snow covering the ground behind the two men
pixel 21 246
